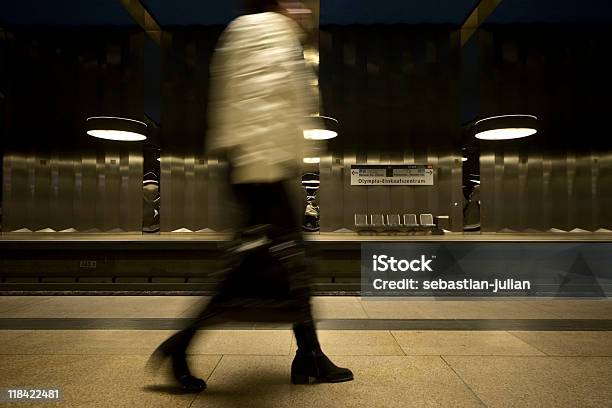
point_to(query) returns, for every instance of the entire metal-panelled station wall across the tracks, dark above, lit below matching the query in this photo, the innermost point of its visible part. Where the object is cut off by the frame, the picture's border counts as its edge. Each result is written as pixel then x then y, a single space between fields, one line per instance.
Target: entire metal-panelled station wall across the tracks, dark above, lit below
pixel 394 88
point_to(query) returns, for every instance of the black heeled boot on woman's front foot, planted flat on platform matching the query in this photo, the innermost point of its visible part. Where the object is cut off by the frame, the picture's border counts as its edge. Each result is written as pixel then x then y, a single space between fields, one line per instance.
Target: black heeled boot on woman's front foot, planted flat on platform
pixel 310 361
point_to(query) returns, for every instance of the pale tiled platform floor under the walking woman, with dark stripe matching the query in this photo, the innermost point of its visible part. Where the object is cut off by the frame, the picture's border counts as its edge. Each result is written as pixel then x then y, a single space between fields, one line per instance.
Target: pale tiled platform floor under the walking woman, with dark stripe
pixel 539 353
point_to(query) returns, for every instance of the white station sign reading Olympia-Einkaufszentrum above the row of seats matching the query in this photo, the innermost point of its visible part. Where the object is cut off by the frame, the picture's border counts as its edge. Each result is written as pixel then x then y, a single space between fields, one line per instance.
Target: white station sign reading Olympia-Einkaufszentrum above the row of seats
pixel 392 175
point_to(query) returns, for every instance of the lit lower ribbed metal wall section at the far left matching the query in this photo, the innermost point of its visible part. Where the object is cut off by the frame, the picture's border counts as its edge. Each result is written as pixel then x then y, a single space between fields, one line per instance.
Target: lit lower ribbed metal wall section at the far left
pixel 85 192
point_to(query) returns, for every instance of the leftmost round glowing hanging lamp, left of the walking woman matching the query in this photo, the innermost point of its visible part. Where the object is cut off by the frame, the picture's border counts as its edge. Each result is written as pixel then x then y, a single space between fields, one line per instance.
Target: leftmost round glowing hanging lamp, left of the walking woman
pixel 115 128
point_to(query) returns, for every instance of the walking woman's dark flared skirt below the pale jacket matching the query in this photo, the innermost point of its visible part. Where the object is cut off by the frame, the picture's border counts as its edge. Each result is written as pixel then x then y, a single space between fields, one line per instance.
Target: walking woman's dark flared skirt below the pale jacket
pixel 267 279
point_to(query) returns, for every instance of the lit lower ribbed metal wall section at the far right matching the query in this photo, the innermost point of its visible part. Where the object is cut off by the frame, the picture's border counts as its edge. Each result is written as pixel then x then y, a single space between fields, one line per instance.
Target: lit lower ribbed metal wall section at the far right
pixel 534 190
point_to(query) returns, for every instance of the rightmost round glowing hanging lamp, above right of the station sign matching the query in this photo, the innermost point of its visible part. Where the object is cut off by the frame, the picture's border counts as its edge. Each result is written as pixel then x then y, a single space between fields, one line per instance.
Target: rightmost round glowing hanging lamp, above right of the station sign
pixel 505 127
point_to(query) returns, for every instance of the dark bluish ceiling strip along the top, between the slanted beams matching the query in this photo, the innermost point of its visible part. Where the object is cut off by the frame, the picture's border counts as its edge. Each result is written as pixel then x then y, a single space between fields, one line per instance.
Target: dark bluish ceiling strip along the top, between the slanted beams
pixel 209 12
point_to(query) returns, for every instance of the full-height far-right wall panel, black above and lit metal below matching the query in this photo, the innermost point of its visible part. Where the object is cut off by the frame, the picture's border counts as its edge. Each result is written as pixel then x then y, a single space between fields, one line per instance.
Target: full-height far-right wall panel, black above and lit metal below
pixel 561 178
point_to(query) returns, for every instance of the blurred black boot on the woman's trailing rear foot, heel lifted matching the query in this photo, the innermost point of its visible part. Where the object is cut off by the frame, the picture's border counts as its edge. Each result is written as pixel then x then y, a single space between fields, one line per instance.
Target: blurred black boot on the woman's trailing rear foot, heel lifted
pixel 180 368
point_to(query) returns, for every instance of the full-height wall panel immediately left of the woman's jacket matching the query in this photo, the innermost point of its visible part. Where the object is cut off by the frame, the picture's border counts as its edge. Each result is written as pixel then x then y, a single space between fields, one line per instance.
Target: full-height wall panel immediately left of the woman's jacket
pixel 192 186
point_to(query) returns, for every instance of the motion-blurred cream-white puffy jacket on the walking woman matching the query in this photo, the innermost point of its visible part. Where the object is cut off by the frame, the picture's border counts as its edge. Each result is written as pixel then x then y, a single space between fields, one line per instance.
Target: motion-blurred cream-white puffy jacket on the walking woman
pixel 261 93
